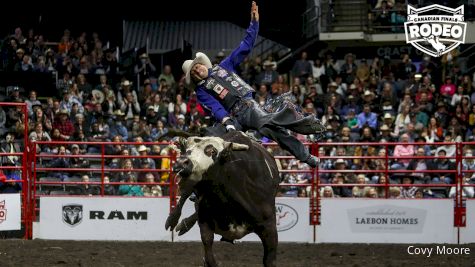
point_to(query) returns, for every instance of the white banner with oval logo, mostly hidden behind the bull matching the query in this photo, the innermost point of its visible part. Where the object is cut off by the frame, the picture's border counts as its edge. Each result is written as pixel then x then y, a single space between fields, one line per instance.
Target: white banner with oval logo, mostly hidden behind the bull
pixel 293 222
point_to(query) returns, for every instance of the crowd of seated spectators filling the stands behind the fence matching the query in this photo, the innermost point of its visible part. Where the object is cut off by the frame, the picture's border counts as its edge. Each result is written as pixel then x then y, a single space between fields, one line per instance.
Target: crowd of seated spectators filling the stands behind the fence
pixel 375 101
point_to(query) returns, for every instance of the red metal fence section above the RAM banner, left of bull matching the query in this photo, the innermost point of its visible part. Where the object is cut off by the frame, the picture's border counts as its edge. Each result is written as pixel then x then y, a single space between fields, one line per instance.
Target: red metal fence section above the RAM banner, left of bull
pixel 39 166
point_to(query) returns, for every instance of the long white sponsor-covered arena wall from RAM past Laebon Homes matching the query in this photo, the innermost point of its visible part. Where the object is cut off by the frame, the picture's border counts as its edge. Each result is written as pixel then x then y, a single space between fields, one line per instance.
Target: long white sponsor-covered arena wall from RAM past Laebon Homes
pixel 342 220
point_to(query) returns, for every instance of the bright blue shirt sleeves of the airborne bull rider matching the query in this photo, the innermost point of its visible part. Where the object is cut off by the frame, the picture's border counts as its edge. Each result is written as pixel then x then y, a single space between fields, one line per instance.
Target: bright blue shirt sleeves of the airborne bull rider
pixel 230 63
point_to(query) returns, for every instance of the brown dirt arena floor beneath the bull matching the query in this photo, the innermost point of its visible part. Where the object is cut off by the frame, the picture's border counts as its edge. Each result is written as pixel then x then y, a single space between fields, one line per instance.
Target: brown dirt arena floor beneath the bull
pixel 79 253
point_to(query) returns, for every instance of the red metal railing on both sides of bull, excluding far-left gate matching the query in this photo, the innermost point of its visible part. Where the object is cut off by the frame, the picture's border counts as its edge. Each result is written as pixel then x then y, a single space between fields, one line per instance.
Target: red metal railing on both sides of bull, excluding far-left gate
pixel 315 183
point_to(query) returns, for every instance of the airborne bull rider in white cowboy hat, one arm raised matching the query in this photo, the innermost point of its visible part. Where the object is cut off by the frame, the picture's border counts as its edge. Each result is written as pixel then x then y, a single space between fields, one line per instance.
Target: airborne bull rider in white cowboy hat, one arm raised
pixel 225 94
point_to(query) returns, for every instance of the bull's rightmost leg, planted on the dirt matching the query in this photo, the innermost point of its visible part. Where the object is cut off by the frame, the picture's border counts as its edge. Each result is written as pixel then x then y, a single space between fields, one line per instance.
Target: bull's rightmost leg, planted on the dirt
pixel 269 238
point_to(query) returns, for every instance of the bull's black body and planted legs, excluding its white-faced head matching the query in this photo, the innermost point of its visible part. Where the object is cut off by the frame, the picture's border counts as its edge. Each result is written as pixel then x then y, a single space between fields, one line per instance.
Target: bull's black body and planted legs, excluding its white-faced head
pixel 239 189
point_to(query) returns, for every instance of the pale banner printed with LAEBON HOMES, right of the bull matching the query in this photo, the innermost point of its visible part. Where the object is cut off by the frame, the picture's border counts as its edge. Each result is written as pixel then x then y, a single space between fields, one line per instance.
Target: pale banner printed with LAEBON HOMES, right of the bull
pixel 387 221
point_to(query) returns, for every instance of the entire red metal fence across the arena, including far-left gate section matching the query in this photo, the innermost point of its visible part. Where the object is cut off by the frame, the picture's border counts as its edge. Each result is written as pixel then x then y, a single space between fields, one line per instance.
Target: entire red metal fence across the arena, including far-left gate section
pixel 33 166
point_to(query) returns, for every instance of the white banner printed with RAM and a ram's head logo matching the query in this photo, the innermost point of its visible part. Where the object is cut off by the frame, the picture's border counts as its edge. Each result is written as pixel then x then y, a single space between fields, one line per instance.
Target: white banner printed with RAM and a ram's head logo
pixel 101 218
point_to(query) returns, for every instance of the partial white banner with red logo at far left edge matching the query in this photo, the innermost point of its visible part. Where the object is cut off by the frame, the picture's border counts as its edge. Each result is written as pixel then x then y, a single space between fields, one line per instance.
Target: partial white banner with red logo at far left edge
pixel 10 212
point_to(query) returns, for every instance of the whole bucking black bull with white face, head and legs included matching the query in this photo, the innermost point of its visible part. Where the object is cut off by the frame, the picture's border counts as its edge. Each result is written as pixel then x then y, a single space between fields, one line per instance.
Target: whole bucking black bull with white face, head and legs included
pixel 236 181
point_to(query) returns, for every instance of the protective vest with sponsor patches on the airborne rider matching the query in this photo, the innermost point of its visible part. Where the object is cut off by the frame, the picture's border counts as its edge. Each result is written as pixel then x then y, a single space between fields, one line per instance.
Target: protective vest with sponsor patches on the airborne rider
pixel 227 87
